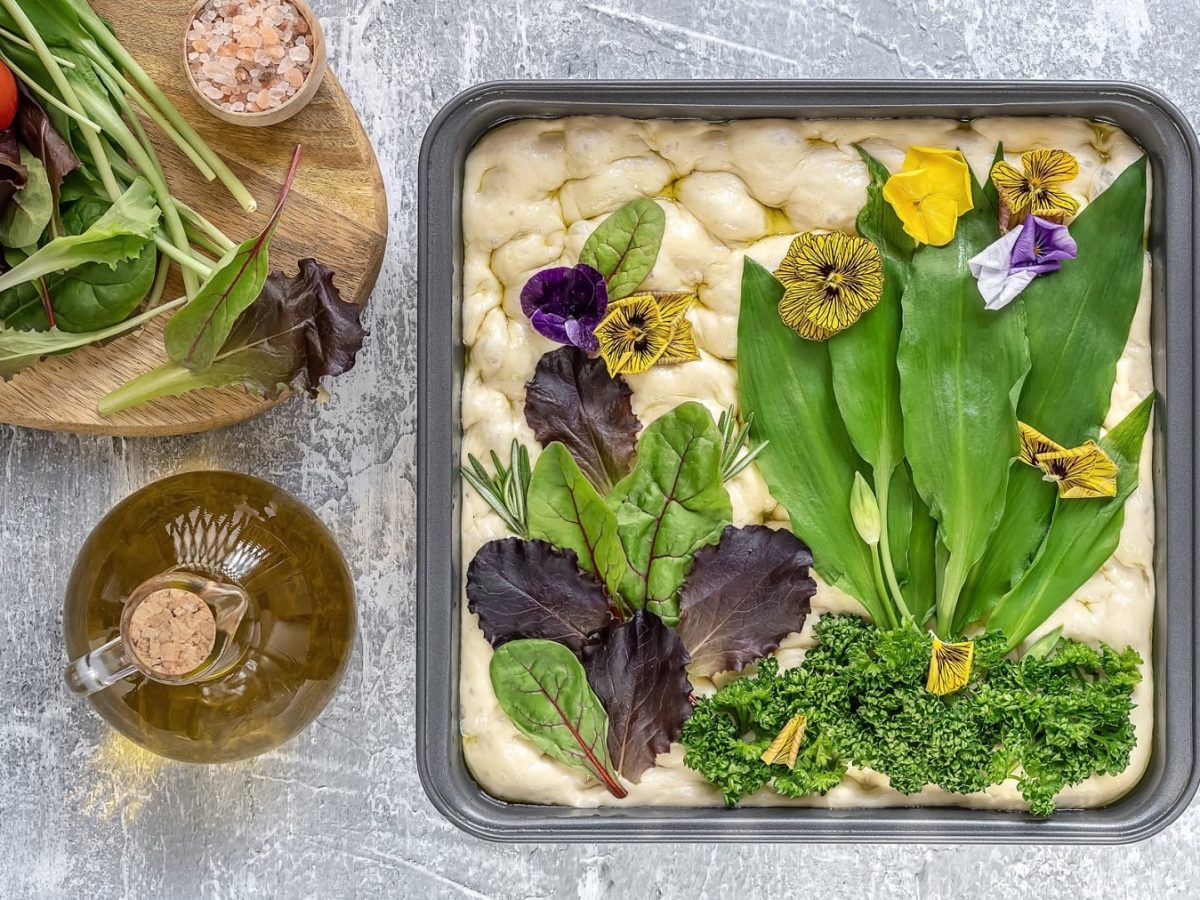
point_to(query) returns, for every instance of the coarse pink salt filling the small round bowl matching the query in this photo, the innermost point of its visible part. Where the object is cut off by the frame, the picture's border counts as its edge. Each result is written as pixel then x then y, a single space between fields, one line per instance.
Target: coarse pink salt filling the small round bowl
pixel 249 57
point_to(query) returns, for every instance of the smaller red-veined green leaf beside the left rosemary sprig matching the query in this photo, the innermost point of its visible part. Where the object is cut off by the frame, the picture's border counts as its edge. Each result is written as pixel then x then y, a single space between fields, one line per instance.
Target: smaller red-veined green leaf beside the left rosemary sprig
pixel 566 511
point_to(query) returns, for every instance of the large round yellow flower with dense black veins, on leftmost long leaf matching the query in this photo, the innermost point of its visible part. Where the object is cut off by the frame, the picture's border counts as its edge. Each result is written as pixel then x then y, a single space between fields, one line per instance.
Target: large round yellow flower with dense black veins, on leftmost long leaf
pixel 830 281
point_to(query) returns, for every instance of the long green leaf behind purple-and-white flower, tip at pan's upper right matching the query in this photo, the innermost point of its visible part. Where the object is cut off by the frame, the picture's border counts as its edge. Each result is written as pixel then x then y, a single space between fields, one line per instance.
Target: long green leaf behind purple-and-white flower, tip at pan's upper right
pixel 1078 323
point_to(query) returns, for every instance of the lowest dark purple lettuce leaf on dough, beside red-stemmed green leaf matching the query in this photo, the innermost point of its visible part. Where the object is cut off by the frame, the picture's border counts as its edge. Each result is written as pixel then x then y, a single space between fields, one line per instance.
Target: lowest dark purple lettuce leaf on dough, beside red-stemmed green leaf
pixel 638 669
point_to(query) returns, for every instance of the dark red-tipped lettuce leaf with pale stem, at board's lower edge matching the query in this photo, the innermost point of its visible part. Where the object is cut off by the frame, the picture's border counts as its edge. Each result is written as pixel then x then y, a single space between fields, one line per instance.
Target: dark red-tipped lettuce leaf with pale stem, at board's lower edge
pixel 299 332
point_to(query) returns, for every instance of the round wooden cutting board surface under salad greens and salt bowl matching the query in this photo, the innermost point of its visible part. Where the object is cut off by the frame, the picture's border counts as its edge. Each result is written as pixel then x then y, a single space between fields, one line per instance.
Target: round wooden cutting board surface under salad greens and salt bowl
pixel 338 213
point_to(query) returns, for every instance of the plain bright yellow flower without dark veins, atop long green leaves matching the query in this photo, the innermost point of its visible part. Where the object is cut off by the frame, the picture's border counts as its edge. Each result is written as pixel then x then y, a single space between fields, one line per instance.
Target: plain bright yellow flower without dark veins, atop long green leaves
pixel 931 193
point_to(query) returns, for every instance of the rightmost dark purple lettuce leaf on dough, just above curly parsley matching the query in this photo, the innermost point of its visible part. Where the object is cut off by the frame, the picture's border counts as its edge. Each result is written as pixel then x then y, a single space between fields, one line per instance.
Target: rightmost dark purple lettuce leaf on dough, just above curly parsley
pixel 743 597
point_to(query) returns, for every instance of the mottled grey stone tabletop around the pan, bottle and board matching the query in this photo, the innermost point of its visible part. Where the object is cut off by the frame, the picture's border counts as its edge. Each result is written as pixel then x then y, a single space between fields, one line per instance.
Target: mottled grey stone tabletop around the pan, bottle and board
pixel 340 812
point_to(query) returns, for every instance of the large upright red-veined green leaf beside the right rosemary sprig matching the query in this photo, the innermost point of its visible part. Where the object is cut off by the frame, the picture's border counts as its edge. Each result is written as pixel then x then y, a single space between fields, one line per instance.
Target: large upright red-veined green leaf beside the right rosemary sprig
pixel 670 506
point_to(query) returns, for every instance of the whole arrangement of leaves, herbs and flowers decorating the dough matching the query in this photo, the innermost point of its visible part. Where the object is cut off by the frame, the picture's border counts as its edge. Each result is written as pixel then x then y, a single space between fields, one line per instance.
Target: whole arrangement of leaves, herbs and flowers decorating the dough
pixel 904 397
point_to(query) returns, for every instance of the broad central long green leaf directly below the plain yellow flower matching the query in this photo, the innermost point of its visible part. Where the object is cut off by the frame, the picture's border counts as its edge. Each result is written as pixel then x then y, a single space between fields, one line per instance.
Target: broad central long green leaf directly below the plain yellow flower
pixel 962 369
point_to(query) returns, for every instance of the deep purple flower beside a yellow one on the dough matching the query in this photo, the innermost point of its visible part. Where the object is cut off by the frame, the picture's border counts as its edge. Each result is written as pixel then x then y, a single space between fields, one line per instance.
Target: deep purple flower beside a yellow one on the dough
pixel 567 304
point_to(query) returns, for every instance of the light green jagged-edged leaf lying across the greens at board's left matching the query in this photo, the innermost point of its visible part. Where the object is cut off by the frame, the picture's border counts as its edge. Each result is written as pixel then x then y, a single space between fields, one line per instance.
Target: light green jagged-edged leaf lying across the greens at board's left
pixel 121 235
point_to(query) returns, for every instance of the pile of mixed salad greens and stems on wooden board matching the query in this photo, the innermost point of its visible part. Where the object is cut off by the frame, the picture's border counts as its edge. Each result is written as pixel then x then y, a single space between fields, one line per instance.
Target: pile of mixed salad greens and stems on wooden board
pixel 91 230
